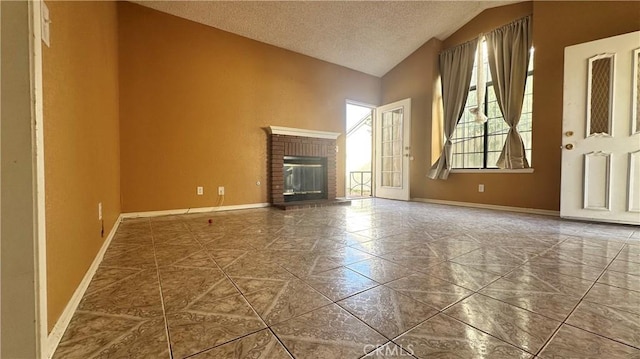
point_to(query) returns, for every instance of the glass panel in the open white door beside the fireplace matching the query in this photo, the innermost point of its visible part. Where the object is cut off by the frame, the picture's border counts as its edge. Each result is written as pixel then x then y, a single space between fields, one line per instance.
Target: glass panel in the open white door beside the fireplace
pixel 392 148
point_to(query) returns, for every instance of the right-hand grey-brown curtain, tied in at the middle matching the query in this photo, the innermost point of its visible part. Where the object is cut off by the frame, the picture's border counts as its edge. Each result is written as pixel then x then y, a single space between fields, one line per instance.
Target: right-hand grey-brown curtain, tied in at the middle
pixel 508 52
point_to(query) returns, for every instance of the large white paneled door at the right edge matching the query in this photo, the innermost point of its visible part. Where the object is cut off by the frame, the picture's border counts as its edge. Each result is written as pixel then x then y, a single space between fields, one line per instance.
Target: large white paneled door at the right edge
pixel 600 132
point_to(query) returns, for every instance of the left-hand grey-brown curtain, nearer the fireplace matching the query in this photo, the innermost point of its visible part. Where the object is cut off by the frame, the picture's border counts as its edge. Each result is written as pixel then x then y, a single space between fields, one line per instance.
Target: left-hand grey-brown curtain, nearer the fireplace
pixel 456 68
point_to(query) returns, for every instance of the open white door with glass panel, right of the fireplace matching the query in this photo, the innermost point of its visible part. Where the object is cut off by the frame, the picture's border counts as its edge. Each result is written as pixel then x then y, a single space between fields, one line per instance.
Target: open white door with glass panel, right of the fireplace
pixel 392 133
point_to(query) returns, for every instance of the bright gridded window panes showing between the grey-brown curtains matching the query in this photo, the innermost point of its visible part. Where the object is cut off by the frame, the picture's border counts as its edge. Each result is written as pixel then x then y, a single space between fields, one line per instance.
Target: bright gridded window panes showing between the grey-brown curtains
pixel 479 145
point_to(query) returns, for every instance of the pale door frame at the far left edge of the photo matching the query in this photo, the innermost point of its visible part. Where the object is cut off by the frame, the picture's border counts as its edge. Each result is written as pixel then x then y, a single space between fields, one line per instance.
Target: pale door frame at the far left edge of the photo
pixel 27 236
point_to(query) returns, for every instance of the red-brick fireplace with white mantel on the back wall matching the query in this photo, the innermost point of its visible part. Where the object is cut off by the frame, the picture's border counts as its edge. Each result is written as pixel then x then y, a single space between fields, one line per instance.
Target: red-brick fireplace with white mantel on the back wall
pixel 302 148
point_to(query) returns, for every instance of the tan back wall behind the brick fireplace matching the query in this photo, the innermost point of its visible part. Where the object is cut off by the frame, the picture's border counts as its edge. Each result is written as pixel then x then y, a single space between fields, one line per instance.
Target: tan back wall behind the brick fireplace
pixel 194 101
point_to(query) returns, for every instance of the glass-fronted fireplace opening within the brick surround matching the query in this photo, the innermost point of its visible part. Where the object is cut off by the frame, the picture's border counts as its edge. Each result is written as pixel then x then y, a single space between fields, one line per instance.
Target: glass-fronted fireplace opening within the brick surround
pixel 305 178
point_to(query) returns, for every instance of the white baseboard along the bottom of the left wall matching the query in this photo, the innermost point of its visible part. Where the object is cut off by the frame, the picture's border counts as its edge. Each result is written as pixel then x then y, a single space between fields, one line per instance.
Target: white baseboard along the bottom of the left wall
pixel 53 339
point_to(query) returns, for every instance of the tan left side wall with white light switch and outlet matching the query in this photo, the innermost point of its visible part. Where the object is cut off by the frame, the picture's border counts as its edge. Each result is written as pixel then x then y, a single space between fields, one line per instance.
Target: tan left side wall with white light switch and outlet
pixel 82 160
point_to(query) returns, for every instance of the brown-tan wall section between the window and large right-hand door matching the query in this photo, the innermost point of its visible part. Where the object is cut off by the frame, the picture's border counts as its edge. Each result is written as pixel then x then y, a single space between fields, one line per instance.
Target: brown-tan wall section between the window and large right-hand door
pixel 581 22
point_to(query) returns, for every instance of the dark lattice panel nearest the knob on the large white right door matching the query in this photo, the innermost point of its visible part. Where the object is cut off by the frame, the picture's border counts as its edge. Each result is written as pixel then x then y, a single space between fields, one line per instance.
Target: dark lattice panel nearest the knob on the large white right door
pixel 600 95
